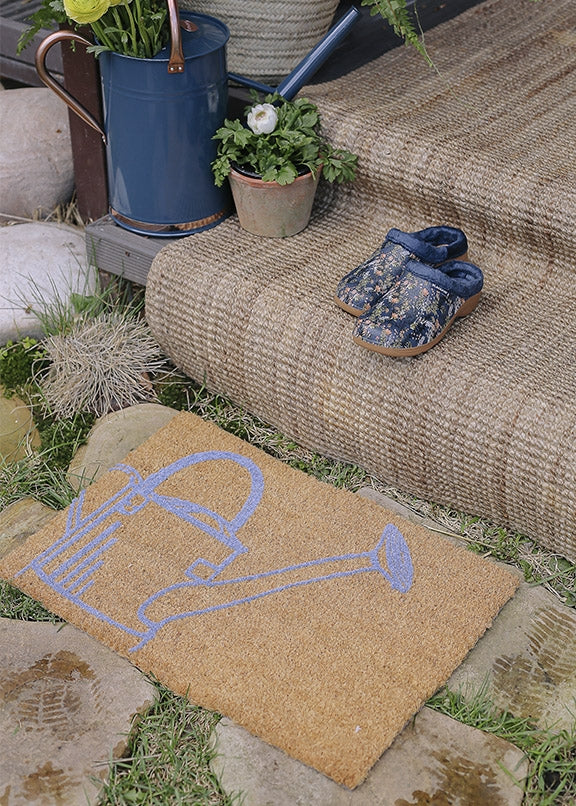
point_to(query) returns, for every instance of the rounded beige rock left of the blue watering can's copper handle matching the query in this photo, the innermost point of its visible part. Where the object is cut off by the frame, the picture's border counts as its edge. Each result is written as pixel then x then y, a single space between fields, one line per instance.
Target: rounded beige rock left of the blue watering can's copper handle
pixel 36 171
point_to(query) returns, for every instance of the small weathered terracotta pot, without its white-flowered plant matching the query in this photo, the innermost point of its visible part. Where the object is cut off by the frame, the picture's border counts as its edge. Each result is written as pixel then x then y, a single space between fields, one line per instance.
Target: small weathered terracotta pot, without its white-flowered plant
pixel 270 209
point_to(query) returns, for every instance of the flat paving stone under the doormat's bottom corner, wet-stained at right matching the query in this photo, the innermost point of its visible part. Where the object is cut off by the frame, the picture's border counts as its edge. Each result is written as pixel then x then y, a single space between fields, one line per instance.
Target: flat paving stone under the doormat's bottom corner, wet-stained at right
pixel 434 760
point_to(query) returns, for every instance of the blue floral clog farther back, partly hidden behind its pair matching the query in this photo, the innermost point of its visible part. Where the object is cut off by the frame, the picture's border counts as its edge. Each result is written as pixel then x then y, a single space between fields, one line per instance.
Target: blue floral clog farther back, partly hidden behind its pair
pixel 364 285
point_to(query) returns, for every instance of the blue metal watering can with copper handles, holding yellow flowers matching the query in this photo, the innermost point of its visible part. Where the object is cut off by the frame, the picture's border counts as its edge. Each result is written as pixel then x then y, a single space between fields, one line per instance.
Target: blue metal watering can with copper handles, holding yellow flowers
pixel 160 115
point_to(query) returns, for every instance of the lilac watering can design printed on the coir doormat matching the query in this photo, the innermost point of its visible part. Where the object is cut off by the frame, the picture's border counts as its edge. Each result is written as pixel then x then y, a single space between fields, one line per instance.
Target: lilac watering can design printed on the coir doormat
pixel 71 565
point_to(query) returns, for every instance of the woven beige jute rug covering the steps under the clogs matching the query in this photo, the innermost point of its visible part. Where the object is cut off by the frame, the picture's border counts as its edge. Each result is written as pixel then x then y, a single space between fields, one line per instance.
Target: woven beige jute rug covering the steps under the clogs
pixel 486 421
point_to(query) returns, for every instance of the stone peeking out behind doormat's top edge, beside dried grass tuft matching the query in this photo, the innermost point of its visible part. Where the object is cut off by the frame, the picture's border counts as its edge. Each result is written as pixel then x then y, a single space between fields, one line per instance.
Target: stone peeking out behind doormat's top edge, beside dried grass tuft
pixel 112 437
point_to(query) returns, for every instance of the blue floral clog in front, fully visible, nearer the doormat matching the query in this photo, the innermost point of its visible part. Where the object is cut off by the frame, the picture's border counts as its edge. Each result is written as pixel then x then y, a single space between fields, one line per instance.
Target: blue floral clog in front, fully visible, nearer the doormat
pixel 418 310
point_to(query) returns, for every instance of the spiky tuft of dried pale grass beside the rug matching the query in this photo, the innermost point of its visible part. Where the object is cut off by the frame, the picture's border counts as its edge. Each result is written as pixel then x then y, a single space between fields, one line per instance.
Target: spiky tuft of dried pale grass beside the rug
pixel 100 365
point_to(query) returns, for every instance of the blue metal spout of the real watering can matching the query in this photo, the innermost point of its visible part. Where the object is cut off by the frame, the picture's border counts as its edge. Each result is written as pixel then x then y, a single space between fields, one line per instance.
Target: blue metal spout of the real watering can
pixel 310 64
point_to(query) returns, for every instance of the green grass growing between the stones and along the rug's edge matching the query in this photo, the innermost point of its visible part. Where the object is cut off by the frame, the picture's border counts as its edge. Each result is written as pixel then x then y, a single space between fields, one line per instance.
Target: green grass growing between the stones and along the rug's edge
pixel 170 750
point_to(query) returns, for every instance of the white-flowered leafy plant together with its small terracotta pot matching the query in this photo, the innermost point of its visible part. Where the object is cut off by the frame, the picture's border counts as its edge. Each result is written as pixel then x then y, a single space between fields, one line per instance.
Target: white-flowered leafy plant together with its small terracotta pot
pixel 274 163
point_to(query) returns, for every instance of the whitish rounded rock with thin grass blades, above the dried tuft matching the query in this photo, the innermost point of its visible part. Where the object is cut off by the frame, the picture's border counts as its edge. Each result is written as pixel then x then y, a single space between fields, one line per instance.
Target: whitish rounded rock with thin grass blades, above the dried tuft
pixel 40 263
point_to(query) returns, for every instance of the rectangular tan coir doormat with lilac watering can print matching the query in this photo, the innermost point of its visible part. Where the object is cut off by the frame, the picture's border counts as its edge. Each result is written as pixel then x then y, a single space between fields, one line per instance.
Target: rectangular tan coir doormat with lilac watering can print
pixel 313 617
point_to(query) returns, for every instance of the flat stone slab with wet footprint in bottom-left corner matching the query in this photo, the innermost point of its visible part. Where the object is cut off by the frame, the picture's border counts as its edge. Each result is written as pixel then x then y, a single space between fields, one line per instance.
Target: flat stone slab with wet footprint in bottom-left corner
pixel 66 707
